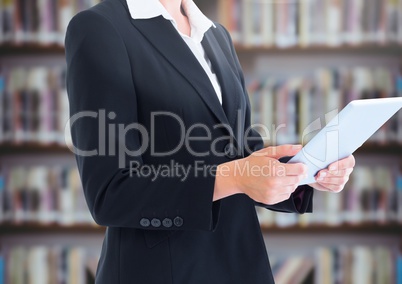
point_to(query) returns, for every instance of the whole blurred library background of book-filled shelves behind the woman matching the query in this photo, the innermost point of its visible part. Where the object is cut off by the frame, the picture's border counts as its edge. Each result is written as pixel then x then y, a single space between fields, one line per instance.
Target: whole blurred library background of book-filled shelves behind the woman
pixel 302 59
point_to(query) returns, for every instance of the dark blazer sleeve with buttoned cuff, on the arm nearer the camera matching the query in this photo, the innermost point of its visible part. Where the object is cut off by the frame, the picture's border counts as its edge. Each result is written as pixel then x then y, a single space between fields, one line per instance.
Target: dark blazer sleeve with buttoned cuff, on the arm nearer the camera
pixel 99 79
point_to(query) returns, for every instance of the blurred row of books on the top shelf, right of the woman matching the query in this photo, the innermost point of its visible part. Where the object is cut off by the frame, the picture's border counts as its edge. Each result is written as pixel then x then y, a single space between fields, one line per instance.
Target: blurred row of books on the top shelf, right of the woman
pixel 312 22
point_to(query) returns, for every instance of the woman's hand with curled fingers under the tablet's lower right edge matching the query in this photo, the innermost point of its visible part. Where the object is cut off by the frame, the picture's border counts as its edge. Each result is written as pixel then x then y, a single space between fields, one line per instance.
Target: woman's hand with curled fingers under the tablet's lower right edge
pixel 334 178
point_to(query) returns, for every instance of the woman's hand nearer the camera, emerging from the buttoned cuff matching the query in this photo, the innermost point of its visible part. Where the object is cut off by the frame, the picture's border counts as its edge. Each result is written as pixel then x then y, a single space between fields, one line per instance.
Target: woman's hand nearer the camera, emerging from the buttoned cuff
pixel 261 176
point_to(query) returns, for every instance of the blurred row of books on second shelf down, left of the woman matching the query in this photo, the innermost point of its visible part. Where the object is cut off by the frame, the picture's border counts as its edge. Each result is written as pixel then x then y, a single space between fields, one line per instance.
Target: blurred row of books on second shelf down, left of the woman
pixel 35 105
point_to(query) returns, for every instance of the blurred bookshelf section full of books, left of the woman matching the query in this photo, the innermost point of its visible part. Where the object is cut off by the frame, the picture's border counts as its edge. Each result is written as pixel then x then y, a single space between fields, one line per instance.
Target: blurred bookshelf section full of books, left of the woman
pixel 35 53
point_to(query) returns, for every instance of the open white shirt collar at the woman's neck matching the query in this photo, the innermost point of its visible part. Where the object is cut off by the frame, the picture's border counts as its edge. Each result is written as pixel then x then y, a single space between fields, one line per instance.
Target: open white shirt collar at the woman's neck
pixel 147 9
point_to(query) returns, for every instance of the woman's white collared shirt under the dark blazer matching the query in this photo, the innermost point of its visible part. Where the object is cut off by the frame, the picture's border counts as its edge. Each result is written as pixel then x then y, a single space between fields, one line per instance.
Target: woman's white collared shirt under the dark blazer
pixel 199 23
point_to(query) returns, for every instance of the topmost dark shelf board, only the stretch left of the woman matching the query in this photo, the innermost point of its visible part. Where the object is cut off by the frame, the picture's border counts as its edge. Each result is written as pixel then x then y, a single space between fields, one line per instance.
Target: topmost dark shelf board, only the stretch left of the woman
pixel 30 49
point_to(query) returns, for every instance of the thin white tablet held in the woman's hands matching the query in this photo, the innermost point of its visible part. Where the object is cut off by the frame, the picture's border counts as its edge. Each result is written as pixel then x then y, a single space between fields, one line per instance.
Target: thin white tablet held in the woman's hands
pixel 345 133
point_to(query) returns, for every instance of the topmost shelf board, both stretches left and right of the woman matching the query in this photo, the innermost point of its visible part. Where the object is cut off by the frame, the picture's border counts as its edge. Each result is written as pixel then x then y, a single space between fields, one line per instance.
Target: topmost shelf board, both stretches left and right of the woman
pixel 389 49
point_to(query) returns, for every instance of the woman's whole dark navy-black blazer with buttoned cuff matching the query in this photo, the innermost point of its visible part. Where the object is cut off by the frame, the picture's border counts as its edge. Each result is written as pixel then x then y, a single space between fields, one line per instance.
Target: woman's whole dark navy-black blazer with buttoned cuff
pixel 163 229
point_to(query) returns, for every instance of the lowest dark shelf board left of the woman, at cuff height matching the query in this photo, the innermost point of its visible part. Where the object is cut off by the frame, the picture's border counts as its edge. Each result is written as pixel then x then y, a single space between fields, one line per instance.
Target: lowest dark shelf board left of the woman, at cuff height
pixel 33 228
